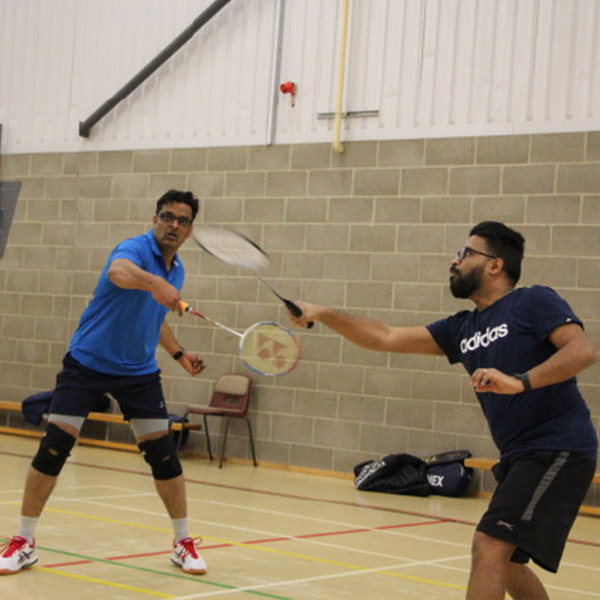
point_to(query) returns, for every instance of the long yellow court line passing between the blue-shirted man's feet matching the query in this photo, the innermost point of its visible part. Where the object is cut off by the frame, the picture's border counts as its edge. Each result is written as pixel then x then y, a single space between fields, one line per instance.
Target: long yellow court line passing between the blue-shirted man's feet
pixel 263 549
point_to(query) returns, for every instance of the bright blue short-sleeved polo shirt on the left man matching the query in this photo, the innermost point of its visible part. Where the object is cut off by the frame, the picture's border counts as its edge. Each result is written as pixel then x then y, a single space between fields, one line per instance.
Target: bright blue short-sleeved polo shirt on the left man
pixel 119 330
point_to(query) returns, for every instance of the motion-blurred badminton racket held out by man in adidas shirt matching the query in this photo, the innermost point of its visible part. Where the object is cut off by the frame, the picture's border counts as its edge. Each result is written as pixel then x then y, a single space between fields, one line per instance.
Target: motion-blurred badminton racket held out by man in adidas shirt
pixel 236 249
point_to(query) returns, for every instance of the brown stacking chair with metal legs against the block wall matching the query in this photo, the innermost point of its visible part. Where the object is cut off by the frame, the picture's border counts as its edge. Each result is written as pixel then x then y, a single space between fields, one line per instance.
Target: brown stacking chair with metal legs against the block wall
pixel 230 400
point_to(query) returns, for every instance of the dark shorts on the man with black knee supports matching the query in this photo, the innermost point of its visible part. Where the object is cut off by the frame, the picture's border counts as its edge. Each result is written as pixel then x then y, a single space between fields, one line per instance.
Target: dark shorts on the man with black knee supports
pixel 78 388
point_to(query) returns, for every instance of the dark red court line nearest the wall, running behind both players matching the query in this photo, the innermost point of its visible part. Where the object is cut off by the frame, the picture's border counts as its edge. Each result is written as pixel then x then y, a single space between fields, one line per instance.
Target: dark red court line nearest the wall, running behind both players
pixel 285 495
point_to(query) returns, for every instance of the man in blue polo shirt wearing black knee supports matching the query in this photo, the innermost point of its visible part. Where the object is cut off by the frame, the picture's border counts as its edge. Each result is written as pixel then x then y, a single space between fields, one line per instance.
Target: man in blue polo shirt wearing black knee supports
pixel 113 350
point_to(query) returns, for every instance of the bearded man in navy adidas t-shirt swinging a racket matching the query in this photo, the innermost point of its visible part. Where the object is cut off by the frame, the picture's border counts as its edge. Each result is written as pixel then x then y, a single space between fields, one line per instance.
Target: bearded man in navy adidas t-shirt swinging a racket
pixel 522 349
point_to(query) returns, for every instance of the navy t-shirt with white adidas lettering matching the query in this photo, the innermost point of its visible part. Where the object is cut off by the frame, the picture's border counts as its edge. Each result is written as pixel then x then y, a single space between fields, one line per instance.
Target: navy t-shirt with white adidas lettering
pixel 512 335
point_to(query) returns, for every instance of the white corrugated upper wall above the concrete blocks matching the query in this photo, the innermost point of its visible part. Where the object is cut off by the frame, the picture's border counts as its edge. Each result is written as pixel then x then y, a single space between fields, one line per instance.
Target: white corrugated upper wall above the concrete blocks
pixel 430 68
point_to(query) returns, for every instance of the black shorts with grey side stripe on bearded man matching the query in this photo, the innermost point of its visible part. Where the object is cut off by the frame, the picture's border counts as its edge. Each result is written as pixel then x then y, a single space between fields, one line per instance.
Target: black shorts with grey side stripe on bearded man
pixel 536 502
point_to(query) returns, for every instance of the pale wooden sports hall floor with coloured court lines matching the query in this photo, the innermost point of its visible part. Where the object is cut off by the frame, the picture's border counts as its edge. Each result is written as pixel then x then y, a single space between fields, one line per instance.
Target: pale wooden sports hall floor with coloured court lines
pixel 267 534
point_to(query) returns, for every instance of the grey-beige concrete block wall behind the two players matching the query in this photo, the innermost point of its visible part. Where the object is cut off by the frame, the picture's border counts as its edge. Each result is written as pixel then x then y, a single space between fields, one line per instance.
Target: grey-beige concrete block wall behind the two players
pixel 372 230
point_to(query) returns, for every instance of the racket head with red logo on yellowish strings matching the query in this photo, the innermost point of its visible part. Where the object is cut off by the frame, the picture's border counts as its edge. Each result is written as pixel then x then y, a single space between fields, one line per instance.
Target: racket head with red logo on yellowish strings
pixel 269 349
